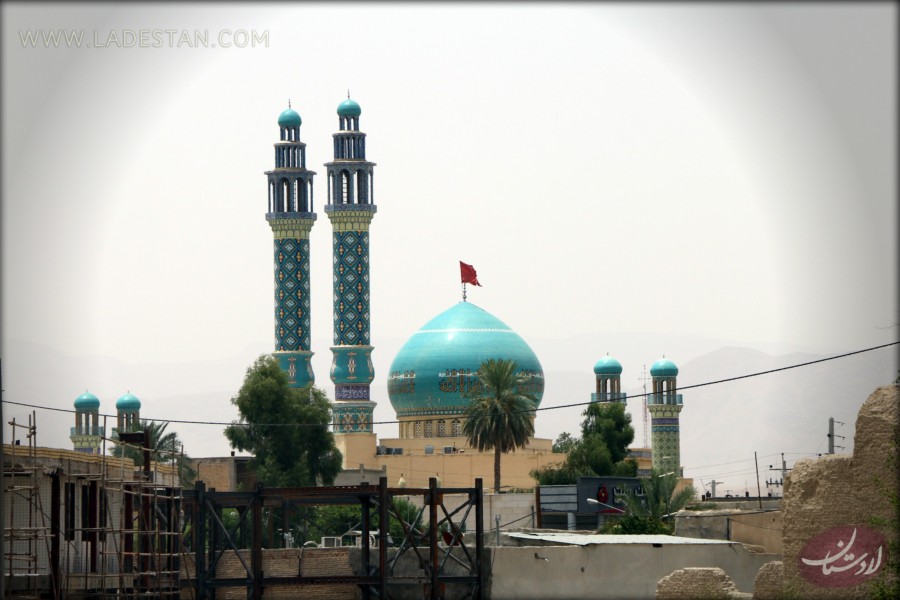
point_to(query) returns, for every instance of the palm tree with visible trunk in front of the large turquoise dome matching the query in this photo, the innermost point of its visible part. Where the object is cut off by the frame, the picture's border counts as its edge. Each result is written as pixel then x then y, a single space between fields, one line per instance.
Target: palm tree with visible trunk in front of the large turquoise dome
pixel 500 416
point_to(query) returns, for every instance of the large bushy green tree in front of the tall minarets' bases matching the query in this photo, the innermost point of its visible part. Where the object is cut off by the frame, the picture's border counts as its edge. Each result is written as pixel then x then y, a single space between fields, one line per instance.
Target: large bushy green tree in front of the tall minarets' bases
pixel 286 429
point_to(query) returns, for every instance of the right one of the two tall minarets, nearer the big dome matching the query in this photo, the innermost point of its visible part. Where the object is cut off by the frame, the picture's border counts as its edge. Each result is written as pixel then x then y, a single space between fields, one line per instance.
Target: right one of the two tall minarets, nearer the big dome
pixel 351 208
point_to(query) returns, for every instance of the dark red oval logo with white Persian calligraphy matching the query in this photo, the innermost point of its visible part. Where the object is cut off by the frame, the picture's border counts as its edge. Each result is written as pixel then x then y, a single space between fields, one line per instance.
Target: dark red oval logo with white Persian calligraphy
pixel 842 556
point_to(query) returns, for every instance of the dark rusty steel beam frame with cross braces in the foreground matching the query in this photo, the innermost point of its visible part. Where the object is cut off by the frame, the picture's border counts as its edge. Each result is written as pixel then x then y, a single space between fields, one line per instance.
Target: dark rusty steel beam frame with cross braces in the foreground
pixel 433 545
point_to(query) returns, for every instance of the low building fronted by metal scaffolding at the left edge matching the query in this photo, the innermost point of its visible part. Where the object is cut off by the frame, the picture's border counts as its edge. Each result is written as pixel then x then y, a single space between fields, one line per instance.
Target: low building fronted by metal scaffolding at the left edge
pixel 79 524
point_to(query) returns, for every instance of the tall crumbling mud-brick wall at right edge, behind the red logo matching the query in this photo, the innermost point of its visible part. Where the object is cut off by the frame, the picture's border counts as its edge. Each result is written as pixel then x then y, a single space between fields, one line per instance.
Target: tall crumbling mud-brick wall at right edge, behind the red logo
pixel 837 516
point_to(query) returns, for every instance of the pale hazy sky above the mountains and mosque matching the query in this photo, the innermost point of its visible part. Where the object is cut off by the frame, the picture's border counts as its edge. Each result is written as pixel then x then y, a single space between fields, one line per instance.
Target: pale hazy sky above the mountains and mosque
pixel 708 169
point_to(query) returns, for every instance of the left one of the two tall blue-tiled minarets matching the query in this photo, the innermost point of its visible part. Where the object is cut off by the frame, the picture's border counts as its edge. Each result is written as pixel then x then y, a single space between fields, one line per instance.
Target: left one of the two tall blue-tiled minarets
pixel 291 218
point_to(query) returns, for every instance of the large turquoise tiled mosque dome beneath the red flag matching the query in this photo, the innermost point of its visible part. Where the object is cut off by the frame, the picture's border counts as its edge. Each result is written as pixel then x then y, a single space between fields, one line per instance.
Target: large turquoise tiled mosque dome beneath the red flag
pixel 437 365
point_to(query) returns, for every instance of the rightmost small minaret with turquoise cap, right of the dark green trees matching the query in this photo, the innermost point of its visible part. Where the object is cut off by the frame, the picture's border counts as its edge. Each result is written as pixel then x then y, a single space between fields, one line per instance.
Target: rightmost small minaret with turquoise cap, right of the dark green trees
pixel 664 406
